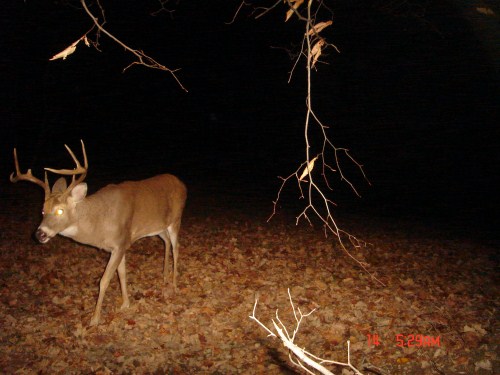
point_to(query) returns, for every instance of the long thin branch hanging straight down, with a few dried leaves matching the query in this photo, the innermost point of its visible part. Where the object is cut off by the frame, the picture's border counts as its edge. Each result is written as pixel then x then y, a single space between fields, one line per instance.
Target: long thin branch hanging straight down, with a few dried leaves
pixel 318 203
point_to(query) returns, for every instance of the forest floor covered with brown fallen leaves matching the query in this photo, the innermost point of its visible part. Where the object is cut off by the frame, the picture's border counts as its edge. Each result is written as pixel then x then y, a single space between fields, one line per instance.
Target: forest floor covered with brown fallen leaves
pixel 440 284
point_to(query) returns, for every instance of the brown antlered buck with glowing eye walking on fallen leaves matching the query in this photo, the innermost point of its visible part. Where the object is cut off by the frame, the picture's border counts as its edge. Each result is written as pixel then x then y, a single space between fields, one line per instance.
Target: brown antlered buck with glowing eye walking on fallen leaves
pixel 111 219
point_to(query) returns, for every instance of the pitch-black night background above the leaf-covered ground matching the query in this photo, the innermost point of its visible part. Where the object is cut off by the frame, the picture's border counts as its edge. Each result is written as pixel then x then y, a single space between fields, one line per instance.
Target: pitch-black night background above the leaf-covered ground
pixel 413 98
